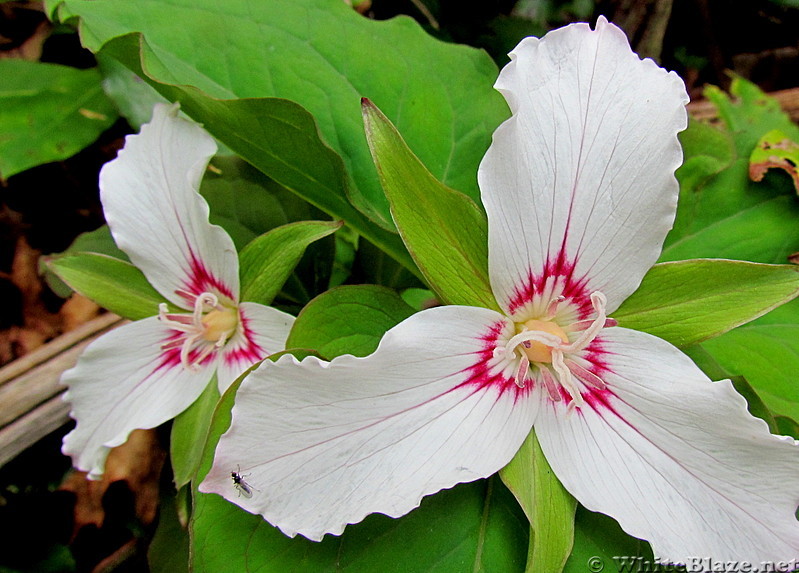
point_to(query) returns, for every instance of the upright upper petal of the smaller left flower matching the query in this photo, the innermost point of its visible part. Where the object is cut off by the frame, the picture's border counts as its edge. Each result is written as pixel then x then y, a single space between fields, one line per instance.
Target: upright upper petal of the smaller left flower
pixel 151 203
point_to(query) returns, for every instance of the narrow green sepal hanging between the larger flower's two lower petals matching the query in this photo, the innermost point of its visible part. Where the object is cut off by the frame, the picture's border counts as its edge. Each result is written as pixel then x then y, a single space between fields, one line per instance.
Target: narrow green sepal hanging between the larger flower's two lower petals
pixel 548 506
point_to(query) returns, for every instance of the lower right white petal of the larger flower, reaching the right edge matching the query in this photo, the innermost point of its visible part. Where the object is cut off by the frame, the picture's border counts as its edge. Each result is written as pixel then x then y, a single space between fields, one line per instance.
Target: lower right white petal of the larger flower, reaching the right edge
pixel 677 459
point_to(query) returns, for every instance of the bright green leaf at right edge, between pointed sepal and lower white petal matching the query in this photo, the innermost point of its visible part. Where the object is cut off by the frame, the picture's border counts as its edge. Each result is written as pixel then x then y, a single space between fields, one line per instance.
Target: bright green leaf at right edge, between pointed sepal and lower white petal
pixel 766 353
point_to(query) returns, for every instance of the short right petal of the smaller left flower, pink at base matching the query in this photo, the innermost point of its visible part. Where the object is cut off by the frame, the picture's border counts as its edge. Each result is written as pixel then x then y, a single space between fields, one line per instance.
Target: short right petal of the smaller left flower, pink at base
pixel 263 331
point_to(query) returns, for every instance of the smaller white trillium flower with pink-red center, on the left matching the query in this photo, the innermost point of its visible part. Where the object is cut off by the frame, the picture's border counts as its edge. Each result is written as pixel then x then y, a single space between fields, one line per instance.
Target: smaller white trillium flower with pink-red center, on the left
pixel 145 373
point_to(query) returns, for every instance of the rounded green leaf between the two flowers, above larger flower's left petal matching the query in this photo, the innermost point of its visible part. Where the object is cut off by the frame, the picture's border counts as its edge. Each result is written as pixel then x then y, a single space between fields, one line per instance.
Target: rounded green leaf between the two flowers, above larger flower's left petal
pixel 348 320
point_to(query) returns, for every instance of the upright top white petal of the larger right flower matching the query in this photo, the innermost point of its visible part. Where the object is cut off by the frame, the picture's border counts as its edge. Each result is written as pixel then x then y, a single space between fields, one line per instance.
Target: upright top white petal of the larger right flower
pixel 580 181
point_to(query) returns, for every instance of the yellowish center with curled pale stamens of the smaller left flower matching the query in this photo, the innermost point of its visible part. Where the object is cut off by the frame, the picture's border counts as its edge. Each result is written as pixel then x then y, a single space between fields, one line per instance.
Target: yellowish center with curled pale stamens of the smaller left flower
pixel 208 328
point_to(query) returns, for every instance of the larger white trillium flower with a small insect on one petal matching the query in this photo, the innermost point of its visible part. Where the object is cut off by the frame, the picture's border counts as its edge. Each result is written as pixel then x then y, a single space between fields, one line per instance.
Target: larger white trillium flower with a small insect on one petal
pixel 580 192
